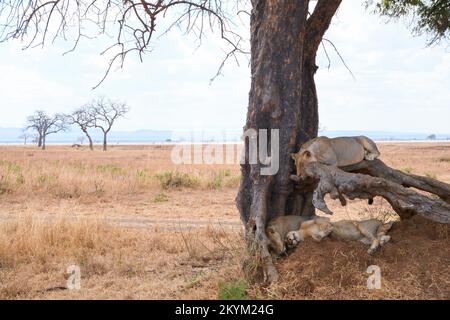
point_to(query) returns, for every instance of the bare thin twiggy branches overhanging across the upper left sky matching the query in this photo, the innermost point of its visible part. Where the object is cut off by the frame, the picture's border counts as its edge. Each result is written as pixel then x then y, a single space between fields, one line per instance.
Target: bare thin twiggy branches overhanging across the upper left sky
pixel 36 21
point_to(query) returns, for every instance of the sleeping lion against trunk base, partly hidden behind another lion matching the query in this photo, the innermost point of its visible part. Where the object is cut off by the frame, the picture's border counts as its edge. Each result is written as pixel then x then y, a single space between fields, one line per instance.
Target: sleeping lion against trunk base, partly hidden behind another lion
pixel 278 228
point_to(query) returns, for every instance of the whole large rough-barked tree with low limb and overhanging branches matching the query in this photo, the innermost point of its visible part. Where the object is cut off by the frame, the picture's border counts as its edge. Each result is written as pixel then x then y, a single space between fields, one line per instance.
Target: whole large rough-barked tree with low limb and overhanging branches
pixel 285 38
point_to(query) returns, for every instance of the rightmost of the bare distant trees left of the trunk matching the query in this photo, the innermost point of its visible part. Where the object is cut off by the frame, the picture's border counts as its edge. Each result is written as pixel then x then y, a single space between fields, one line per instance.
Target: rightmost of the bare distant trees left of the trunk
pixel 105 113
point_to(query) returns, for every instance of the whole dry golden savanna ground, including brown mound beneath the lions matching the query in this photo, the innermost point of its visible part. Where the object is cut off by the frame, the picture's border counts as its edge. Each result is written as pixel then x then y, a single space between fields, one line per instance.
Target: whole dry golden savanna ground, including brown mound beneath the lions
pixel 179 234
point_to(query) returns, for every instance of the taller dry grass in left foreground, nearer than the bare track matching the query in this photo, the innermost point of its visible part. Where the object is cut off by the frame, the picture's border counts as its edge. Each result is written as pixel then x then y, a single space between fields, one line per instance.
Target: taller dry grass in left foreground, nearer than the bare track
pixel 114 263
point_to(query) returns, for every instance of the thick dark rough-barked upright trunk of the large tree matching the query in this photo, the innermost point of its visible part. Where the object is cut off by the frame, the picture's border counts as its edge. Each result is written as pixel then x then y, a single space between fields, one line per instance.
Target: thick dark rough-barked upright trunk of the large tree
pixel 282 96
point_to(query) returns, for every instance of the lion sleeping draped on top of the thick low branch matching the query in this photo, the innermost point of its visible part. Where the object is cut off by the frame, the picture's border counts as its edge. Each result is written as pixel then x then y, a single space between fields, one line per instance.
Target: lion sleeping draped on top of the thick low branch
pixel 338 152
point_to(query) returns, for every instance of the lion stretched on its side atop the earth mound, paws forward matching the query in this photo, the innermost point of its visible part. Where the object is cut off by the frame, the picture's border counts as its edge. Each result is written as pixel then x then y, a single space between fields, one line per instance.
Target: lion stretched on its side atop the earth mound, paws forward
pixel 370 232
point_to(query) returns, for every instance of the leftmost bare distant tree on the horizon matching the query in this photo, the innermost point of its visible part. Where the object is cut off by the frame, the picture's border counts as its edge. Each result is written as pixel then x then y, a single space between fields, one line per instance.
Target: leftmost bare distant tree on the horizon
pixel 45 125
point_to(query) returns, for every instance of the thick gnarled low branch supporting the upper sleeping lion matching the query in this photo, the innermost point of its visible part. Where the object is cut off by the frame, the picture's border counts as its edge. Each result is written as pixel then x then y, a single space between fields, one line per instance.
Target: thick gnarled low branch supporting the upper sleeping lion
pixel 406 202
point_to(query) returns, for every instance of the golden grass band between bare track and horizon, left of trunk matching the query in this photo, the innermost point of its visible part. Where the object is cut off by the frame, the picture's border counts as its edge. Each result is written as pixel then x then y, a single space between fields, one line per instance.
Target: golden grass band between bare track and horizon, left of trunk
pixel 64 173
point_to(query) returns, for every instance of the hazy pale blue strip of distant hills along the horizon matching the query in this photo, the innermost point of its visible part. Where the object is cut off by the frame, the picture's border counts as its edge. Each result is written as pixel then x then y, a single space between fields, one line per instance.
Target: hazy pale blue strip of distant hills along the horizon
pixel 11 135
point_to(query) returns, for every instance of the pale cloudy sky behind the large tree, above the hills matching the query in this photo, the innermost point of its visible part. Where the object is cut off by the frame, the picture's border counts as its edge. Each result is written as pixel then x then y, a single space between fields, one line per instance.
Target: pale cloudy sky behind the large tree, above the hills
pixel 400 85
